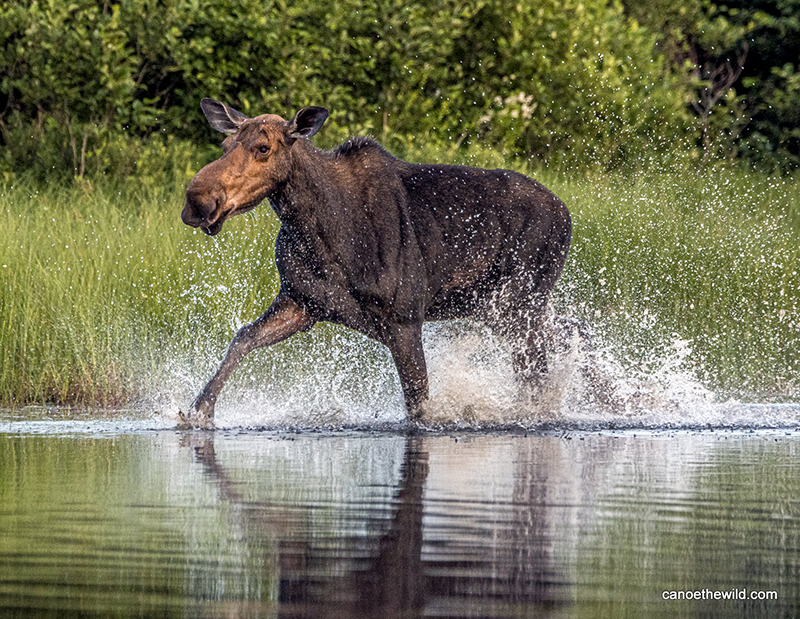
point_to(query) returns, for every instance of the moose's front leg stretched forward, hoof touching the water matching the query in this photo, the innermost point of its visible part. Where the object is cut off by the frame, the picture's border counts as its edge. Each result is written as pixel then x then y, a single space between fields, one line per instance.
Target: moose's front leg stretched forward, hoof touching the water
pixel 283 319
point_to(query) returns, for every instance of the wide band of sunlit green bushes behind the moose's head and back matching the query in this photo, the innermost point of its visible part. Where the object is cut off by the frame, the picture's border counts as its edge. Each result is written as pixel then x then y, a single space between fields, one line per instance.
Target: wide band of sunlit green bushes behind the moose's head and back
pixel 84 79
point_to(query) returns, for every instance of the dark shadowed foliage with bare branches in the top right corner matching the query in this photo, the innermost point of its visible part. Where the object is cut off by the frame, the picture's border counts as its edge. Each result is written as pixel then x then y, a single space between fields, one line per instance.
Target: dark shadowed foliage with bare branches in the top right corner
pixel 737 58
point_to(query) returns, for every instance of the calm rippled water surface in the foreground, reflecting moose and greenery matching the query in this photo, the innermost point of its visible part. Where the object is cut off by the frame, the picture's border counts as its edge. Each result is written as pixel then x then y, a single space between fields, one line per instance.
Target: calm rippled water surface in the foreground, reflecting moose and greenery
pixel 109 518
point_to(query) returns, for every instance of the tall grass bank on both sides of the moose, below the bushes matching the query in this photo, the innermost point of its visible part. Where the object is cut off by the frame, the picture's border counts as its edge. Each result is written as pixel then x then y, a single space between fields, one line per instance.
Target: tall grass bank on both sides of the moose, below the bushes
pixel 102 287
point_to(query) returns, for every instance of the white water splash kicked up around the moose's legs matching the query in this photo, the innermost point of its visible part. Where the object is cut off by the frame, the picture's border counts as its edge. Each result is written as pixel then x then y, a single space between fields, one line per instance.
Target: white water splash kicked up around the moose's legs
pixel 335 378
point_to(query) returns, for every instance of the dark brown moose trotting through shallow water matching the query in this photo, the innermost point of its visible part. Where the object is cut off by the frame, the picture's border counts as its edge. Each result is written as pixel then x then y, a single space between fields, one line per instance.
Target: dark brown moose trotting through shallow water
pixel 380 245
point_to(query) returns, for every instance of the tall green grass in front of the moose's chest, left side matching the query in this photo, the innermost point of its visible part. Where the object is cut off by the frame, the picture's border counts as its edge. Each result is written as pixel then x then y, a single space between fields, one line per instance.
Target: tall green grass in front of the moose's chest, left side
pixel 99 286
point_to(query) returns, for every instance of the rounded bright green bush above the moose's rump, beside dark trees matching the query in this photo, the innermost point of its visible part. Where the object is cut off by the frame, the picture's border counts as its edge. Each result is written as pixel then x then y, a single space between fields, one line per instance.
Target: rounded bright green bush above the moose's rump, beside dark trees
pixel 583 83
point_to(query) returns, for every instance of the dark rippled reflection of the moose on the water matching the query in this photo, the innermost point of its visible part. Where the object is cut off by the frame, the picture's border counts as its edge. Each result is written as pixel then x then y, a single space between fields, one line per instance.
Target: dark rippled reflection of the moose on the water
pixel 385 569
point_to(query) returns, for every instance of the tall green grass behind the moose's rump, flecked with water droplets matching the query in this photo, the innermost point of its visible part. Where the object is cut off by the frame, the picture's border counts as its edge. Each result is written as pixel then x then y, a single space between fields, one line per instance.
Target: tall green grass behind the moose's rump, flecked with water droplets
pixel 707 262
